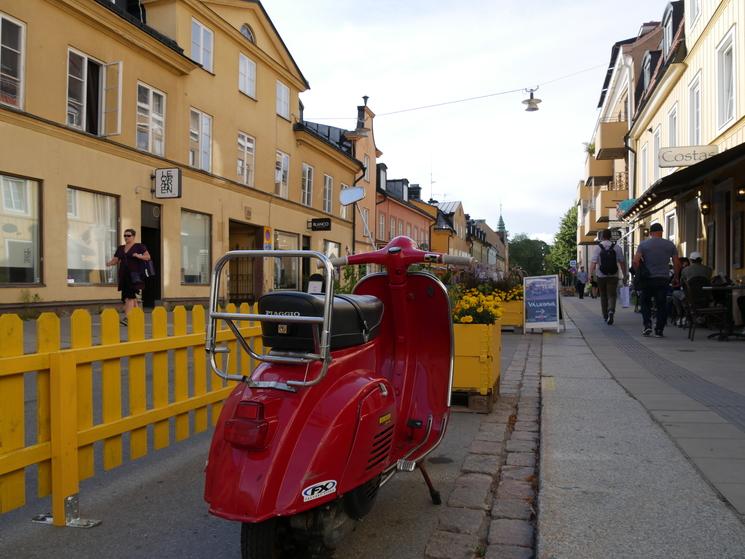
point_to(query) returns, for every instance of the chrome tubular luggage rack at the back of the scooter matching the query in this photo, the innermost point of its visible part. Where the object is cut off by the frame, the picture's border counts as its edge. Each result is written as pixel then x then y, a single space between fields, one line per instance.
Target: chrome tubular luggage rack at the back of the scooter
pixel 321 340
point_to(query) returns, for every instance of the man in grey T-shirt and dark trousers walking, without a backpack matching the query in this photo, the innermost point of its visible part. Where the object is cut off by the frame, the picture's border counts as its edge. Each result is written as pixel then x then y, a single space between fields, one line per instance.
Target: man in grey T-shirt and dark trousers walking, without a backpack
pixel 655 254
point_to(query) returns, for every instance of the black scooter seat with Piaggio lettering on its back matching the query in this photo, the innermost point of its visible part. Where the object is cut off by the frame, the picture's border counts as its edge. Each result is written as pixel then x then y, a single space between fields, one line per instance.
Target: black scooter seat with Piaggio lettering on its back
pixel 355 319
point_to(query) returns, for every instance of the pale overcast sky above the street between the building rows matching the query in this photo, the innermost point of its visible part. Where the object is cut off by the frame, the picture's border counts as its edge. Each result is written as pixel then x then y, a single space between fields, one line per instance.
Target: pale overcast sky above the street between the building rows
pixel 486 152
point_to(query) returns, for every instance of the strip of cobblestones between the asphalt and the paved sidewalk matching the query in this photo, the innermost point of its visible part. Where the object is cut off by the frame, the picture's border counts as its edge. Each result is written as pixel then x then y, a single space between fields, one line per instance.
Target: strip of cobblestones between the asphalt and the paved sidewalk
pixel 491 511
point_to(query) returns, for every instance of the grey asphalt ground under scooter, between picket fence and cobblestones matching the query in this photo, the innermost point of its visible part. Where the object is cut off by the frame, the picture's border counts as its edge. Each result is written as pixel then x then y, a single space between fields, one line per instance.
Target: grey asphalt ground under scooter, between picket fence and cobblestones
pixel 154 508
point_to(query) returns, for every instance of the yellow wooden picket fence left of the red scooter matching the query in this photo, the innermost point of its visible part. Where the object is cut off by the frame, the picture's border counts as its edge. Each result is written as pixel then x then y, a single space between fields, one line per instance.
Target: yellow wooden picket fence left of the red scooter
pixel 166 376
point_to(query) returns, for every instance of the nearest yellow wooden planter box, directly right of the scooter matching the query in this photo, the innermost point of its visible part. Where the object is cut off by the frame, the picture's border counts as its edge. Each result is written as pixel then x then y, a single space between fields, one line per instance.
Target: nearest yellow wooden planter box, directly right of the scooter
pixel 477 352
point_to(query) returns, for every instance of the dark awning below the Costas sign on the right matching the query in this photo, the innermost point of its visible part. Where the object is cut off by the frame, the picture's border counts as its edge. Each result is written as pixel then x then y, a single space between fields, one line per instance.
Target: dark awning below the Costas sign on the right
pixel 684 180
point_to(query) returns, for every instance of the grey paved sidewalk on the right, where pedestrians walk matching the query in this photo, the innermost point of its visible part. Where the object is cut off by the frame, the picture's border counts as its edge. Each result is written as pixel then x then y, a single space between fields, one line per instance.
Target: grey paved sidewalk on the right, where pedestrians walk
pixel 642 441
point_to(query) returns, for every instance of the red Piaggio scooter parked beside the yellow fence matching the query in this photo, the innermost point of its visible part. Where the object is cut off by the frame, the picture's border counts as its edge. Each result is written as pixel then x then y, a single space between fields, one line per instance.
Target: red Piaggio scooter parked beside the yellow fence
pixel 354 389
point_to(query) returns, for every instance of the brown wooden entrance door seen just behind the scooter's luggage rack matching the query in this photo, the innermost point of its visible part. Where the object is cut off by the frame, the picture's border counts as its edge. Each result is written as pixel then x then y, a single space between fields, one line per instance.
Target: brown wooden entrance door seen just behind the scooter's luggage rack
pixel 246 274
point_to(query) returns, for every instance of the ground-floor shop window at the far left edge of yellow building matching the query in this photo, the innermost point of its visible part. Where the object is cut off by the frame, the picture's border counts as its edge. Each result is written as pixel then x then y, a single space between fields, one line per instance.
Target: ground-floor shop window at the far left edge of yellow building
pixel 19 235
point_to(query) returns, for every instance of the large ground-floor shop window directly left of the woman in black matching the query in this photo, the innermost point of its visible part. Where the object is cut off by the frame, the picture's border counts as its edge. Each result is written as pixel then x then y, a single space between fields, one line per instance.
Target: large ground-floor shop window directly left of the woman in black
pixel 91 237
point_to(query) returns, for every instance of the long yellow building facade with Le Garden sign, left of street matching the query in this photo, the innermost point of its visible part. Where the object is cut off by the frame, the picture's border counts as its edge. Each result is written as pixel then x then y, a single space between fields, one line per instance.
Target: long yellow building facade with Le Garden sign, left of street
pixel 93 102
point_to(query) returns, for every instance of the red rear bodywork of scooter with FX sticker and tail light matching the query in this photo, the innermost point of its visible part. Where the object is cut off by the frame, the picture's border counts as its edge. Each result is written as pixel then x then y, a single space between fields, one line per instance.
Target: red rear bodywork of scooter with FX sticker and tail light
pixel 295 451
